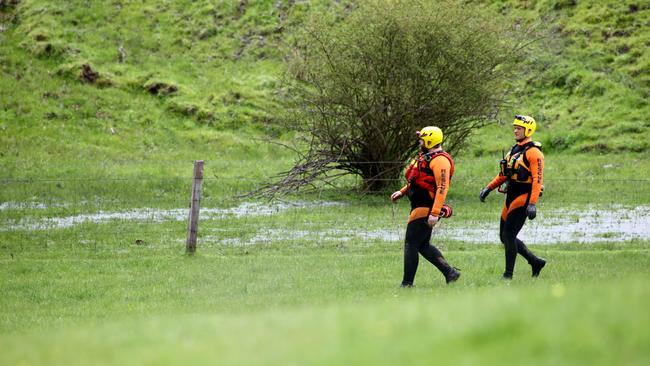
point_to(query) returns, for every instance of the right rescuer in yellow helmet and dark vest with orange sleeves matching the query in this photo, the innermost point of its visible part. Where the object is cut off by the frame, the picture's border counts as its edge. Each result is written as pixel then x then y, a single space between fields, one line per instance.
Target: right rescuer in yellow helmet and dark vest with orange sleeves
pixel 522 172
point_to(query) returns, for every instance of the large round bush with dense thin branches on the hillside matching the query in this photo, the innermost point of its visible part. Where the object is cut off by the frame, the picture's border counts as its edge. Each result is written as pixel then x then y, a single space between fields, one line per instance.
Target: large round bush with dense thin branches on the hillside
pixel 362 85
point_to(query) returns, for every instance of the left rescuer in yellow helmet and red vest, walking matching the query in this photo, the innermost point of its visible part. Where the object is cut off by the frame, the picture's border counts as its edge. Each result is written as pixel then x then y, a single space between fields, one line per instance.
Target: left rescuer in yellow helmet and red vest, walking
pixel 428 177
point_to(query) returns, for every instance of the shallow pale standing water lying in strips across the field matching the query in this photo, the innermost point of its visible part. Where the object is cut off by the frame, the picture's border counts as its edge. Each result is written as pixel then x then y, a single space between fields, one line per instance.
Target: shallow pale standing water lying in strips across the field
pixel 584 226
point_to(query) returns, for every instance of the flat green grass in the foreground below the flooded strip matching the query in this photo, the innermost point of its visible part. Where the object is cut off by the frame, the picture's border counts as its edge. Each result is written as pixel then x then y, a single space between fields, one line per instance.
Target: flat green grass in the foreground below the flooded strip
pixel 323 307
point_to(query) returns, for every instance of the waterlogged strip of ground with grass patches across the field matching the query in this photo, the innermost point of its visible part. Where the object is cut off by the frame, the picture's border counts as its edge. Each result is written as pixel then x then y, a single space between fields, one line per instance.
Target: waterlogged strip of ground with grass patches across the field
pixel 591 225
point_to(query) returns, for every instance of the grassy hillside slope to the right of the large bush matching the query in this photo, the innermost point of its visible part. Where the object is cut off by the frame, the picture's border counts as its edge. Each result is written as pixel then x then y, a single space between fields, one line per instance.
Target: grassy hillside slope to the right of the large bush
pixel 591 89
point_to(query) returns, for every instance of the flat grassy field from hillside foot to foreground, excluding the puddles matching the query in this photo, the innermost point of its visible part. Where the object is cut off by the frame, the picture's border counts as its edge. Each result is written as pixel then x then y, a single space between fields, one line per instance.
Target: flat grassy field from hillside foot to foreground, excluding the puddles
pixel 273 284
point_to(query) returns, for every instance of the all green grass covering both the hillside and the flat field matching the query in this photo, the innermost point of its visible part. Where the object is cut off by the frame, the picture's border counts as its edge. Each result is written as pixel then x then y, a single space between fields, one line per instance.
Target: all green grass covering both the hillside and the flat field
pixel 197 80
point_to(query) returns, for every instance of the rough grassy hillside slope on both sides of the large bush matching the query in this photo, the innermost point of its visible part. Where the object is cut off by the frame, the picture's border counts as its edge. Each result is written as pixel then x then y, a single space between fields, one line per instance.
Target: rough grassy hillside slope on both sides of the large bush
pixel 113 78
